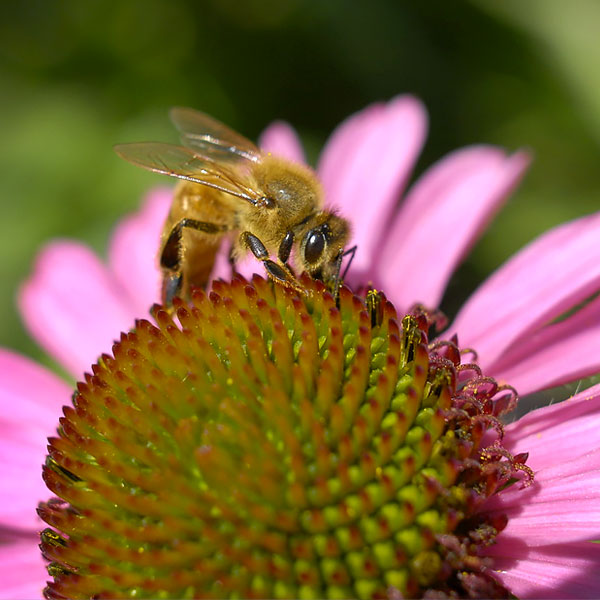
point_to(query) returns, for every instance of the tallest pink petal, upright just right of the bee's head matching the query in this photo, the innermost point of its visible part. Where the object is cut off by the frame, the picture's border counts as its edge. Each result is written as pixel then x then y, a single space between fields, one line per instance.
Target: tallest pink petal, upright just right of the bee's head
pixel 365 166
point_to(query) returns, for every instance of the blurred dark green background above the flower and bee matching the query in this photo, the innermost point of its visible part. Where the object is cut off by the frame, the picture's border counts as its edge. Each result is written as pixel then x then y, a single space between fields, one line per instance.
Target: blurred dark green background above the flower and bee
pixel 77 77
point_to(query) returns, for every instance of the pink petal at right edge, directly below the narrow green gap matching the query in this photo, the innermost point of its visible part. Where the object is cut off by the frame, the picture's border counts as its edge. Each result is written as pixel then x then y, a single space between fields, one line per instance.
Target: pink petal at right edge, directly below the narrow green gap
pixel 556 433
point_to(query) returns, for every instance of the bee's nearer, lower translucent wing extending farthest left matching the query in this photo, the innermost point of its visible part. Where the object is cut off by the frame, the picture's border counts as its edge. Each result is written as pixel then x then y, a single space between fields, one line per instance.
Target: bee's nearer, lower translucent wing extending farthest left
pixel 184 163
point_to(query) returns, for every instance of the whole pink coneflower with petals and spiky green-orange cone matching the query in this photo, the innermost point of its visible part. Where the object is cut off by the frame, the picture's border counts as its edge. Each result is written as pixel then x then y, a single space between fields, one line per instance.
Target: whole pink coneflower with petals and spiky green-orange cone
pixel 348 453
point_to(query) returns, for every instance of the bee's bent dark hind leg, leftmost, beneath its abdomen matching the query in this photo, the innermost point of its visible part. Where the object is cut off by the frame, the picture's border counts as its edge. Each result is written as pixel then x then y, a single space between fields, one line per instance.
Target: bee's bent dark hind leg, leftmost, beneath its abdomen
pixel 171 256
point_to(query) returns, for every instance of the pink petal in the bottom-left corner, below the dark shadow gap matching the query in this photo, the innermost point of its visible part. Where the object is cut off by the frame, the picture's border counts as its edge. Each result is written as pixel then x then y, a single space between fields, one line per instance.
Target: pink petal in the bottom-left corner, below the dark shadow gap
pixel 22 568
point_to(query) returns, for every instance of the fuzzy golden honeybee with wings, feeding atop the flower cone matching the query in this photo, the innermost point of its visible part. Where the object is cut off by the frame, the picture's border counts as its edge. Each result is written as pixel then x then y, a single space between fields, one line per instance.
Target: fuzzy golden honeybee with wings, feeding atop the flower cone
pixel 267 205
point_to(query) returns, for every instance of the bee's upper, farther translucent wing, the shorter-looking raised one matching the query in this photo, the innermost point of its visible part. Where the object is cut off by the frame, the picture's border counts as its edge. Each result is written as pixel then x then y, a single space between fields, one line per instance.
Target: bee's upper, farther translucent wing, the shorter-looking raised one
pixel 210 137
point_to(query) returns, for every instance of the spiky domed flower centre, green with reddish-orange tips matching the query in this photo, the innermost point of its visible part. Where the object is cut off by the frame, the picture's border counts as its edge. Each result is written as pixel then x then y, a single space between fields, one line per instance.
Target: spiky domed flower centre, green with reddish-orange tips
pixel 262 444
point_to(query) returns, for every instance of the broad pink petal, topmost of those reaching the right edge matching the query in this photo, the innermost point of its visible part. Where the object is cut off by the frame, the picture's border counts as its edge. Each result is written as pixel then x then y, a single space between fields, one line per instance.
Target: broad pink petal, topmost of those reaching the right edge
pixel 550 276
